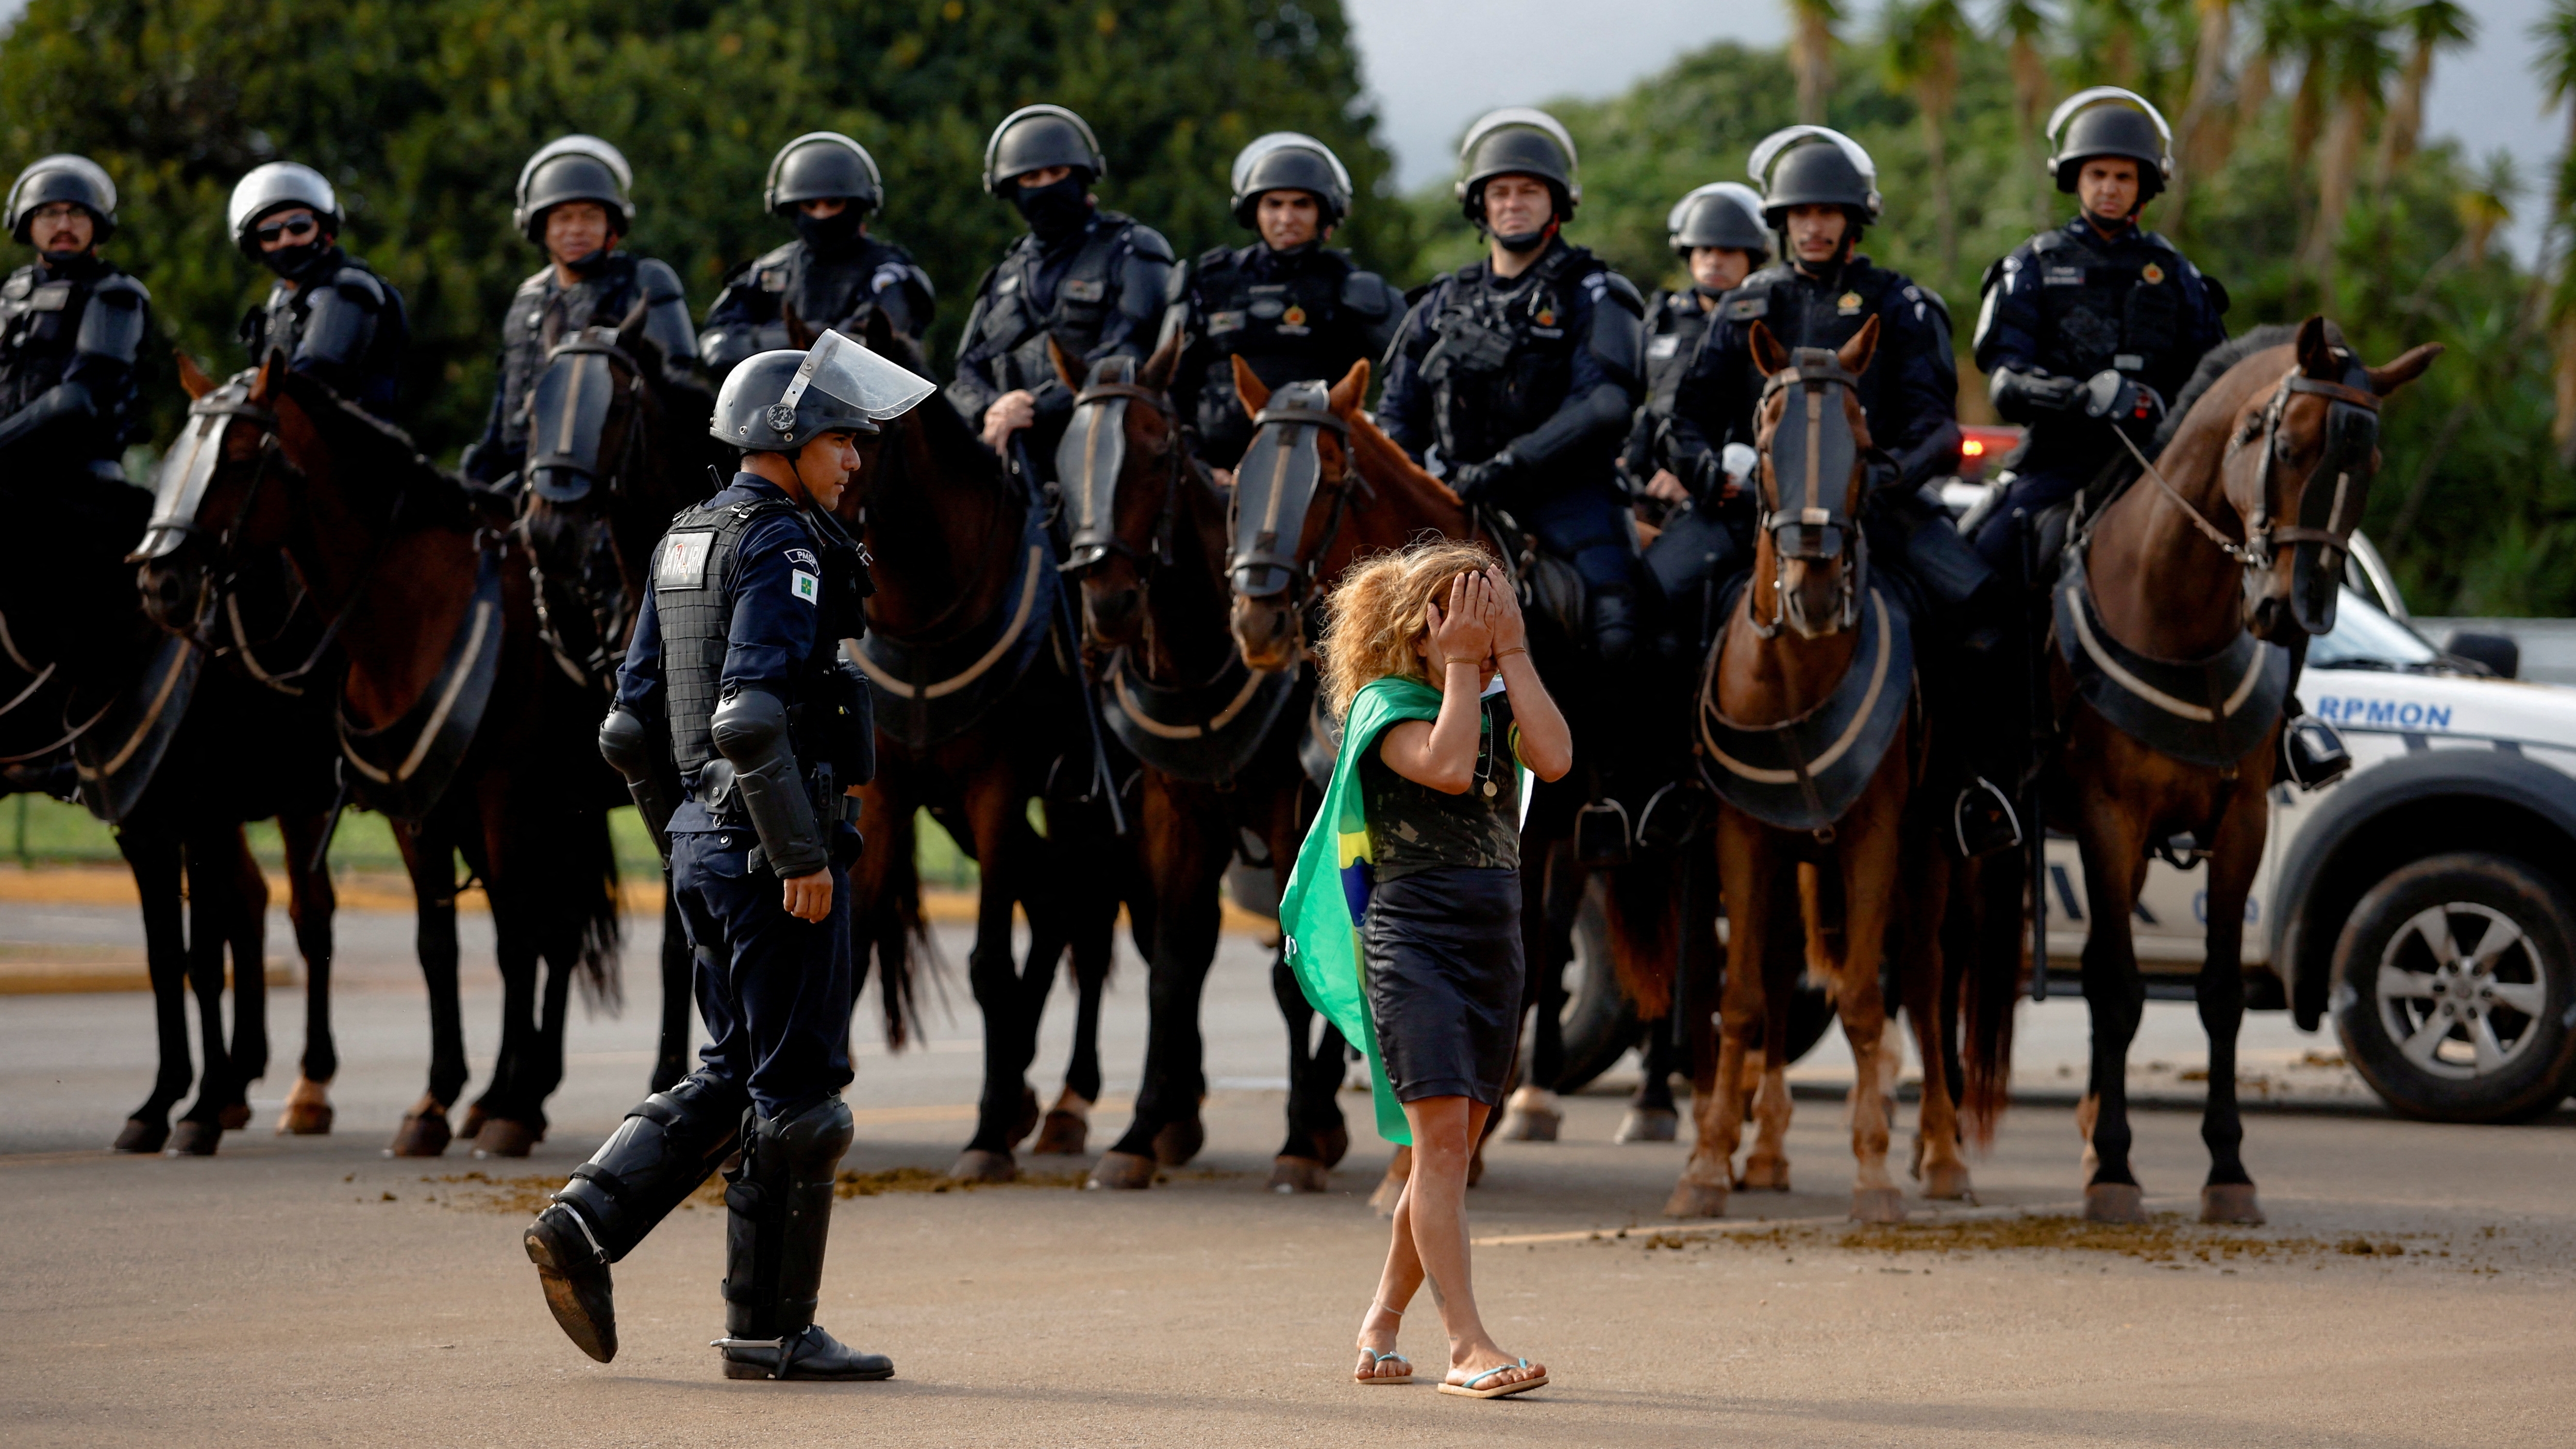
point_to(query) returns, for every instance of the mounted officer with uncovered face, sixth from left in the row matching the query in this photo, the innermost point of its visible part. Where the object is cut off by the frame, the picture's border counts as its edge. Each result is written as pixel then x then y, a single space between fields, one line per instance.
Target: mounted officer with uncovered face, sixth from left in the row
pixel 1289 306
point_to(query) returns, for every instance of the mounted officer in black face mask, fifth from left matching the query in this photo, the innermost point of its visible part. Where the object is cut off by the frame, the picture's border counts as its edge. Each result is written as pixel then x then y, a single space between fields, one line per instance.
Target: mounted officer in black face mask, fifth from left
pixel 1091 280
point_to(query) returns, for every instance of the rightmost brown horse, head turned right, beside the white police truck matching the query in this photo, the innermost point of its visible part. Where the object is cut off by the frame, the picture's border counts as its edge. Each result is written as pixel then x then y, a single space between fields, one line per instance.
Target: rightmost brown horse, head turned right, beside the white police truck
pixel 2178 623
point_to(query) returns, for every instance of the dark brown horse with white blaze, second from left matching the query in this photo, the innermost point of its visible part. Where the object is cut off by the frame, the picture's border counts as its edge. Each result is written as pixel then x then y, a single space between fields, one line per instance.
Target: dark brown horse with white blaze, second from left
pixel 447 710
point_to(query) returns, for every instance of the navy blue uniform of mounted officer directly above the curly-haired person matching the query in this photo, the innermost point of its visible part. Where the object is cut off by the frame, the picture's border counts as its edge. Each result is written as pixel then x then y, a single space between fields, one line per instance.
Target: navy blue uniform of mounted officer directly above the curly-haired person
pixel 1542 370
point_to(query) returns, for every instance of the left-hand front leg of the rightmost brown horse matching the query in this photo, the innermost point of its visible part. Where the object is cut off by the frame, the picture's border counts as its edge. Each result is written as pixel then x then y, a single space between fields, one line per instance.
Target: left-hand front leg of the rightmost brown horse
pixel 2114 842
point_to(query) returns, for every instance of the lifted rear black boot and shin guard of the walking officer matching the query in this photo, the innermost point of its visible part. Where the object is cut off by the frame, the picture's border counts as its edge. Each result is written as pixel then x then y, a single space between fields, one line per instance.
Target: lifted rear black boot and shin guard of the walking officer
pixel 656 1159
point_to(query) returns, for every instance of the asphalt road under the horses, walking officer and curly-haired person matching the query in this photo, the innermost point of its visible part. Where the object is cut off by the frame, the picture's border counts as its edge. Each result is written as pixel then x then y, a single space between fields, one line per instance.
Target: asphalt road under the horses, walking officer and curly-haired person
pixel 2410 1290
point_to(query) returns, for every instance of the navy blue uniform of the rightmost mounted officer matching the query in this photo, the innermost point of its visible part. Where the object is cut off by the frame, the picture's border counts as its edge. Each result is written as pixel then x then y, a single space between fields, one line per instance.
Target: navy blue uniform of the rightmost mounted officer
pixel 2070 306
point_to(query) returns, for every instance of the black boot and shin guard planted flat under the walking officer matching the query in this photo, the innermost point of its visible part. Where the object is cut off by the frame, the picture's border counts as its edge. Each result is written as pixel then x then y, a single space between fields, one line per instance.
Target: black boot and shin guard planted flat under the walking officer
pixel 782 1213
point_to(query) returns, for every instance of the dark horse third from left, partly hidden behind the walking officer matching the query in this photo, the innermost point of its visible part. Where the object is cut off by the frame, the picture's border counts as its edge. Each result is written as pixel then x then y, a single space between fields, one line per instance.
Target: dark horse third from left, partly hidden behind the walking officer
pixel 617 447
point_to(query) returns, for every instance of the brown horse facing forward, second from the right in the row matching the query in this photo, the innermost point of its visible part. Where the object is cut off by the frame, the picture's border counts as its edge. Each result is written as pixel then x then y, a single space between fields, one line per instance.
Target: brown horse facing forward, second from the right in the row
pixel 1815 746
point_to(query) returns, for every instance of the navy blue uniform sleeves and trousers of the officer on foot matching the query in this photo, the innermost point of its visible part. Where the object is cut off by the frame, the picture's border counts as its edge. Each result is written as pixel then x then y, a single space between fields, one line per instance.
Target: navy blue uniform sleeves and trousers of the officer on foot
pixel 774 991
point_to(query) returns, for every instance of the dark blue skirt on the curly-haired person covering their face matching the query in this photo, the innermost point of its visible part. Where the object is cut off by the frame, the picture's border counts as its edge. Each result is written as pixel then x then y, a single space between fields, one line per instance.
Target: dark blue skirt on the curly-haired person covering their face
pixel 1444 981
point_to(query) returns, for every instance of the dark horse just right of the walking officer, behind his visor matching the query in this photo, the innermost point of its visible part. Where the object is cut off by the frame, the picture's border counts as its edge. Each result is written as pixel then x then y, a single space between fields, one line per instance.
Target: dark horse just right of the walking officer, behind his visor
pixel 978 713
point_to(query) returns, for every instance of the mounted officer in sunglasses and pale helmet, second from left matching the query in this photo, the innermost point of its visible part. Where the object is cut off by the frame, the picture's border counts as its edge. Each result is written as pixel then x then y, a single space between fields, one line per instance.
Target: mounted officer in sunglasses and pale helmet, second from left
pixel 328 311
